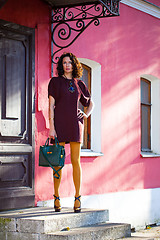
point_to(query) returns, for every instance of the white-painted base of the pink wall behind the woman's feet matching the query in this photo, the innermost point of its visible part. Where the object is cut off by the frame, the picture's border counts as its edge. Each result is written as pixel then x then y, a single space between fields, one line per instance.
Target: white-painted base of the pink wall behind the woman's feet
pixel 138 207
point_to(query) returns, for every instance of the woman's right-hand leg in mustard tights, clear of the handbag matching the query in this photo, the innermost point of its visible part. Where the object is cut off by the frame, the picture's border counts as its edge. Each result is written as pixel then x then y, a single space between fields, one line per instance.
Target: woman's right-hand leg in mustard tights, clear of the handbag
pixel 75 159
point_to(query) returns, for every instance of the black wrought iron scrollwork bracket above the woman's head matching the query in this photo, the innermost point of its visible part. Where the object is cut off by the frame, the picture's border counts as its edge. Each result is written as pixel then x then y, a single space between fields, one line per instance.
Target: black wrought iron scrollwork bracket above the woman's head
pixel 68 23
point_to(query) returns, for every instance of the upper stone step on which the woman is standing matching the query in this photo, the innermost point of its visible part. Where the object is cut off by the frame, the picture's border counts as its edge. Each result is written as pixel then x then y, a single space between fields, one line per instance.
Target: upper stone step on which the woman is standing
pixel 45 220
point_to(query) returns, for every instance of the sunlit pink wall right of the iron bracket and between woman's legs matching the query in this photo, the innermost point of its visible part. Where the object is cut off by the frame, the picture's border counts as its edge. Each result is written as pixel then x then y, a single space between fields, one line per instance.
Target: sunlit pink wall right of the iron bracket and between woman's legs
pixel 126 47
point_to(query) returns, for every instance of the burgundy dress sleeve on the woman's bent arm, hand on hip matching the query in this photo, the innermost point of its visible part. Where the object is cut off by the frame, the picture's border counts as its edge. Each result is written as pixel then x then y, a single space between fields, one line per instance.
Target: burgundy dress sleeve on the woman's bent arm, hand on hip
pixel 85 95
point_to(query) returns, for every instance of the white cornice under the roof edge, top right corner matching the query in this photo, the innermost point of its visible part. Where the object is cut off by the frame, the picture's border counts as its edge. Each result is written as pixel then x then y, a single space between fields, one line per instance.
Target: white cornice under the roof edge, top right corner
pixel 143 6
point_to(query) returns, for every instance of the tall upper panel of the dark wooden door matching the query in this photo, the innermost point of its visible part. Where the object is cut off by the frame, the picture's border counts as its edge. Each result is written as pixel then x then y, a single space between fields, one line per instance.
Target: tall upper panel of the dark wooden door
pixel 13 85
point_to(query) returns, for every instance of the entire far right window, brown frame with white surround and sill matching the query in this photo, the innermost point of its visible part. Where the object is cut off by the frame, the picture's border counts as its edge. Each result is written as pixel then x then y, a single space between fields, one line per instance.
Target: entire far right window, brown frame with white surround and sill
pixel 150 116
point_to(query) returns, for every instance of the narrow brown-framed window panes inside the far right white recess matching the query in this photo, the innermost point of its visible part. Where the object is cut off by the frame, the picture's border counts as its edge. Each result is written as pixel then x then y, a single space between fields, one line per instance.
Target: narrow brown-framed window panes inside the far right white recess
pixel 145 115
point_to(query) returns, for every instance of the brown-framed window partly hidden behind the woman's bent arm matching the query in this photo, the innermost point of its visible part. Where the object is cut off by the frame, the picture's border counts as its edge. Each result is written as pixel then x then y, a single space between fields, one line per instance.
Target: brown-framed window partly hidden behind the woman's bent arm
pixel 86 78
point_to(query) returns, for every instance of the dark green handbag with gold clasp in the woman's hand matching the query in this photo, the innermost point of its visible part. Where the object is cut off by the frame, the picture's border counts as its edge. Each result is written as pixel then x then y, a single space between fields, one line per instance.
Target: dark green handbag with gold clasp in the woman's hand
pixel 52 156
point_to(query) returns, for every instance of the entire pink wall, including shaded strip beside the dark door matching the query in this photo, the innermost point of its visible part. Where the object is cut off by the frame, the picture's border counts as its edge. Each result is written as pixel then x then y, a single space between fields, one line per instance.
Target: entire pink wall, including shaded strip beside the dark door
pixel 126 47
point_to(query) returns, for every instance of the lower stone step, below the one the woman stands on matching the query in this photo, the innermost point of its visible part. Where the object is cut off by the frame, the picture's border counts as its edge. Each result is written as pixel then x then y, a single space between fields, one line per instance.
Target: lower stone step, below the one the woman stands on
pixel 105 231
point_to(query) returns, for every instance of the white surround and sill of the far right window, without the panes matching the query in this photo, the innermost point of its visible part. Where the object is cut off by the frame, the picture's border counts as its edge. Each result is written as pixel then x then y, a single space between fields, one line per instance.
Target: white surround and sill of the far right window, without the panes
pixel 155 116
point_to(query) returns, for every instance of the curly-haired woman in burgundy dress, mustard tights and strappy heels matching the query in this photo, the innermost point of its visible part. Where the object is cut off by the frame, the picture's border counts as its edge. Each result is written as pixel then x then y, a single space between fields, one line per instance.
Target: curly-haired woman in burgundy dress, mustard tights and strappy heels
pixel 66 120
